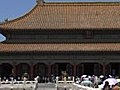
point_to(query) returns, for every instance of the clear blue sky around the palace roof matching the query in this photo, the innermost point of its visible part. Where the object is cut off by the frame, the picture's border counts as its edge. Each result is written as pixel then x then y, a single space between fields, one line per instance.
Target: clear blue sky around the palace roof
pixel 11 9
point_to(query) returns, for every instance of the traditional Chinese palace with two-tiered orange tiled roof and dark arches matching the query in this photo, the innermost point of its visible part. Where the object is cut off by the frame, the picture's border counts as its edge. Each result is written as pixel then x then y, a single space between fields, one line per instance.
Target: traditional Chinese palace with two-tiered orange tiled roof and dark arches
pixel 76 37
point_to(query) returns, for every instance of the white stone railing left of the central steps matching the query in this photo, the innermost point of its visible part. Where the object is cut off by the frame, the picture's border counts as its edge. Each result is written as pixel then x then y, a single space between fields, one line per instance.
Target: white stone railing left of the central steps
pixel 20 85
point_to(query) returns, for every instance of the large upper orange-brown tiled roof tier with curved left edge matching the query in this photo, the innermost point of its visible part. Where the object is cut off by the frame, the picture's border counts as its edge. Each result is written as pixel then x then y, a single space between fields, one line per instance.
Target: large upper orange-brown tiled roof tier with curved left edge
pixel 68 16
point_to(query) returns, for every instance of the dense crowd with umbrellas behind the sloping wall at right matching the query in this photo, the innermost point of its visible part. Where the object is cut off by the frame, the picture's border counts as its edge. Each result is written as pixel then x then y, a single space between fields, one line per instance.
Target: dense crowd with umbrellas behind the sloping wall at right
pixel 107 82
